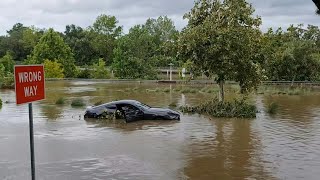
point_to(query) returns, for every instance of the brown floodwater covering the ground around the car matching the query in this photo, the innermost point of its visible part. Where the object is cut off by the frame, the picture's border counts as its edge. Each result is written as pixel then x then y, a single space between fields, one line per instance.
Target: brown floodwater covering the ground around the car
pixel 284 146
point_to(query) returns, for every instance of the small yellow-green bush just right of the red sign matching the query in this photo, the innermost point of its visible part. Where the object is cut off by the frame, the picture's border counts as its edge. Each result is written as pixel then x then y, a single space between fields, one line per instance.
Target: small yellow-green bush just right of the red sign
pixel 53 69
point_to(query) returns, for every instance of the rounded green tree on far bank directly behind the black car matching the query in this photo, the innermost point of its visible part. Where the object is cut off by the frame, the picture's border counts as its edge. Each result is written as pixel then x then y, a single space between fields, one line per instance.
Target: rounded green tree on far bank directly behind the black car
pixel 134 55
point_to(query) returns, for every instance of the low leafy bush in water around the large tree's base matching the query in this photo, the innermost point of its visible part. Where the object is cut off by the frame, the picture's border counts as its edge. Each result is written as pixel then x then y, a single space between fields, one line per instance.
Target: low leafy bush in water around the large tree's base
pixel 236 108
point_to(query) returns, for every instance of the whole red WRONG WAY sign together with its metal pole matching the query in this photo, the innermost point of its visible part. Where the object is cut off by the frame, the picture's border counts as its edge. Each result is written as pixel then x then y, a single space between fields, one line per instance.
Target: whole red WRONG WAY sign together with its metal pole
pixel 29 86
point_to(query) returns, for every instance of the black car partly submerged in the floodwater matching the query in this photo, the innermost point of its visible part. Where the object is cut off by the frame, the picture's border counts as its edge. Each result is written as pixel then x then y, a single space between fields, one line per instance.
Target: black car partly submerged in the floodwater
pixel 131 110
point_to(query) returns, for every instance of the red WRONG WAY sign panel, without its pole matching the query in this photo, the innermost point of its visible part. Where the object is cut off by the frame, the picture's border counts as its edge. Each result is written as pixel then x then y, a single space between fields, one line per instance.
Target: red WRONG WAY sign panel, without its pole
pixel 29 83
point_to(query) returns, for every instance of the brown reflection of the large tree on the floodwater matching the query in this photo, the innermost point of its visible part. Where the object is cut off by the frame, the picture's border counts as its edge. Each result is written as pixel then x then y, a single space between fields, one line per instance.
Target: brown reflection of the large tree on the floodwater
pixel 232 153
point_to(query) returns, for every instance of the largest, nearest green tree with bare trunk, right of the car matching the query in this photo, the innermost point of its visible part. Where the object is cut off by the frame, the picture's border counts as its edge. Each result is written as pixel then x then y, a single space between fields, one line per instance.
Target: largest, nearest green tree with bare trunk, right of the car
pixel 222 38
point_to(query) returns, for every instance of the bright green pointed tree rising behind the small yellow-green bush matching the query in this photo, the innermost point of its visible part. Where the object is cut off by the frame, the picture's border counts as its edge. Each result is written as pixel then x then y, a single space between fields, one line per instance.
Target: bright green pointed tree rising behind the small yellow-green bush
pixel 51 46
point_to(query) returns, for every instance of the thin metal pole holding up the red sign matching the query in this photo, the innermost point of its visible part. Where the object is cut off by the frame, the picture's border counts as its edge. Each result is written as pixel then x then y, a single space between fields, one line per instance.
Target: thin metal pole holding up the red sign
pixel 33 171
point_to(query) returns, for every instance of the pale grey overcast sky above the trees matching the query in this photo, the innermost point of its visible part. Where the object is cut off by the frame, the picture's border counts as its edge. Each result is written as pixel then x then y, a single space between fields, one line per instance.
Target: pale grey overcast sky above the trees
pixel 59 13
